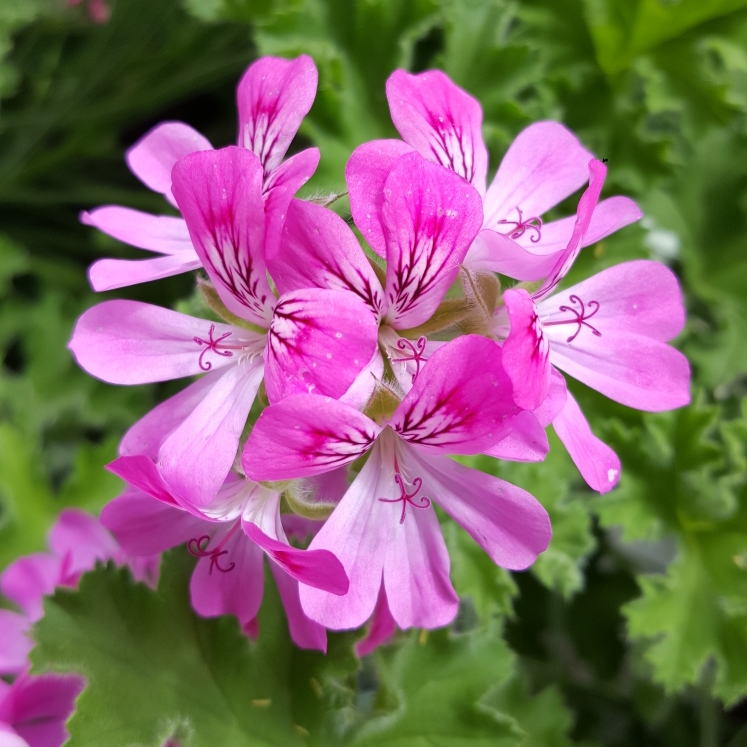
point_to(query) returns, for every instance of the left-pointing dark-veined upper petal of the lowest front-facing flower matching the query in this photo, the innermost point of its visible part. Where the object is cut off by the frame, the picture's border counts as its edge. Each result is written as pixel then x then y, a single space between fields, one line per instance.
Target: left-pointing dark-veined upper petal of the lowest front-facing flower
pixel 306 435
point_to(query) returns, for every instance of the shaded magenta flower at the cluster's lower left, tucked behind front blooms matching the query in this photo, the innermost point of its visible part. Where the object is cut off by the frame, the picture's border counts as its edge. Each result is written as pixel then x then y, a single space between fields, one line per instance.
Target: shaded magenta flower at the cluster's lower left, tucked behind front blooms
pixel 229 536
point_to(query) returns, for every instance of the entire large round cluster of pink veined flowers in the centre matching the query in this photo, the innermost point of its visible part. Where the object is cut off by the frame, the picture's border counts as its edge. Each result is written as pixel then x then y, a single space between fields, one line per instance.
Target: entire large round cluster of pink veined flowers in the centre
pixel 336 382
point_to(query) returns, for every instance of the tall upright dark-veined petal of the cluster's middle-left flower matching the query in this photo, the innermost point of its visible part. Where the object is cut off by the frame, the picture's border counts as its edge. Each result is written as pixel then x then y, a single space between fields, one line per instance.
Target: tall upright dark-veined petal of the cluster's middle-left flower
pixel 220 196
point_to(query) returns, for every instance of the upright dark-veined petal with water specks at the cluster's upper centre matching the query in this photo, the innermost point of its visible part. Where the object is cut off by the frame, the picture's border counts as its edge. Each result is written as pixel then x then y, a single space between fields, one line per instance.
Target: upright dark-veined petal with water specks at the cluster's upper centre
pixel 431 216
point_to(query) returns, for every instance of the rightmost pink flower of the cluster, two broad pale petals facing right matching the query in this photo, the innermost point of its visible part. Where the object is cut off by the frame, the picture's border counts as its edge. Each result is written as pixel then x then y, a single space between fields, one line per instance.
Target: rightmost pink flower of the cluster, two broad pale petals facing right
pixel 609 331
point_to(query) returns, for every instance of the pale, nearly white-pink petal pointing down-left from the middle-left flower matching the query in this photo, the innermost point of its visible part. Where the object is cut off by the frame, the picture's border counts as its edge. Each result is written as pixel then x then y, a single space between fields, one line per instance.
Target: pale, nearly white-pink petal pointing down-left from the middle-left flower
pixel 197 456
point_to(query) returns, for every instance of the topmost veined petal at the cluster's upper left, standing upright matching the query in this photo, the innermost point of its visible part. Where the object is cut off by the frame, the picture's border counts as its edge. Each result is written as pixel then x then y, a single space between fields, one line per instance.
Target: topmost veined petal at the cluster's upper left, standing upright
pixel 273 97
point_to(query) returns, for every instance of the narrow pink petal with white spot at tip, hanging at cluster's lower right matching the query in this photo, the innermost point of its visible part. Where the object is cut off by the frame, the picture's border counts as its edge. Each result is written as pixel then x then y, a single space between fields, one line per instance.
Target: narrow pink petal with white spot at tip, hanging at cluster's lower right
pixel 595 460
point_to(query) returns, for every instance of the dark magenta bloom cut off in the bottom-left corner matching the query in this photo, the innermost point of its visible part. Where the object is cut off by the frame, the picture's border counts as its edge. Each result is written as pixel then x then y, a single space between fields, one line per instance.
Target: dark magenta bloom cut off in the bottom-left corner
pixel 34 709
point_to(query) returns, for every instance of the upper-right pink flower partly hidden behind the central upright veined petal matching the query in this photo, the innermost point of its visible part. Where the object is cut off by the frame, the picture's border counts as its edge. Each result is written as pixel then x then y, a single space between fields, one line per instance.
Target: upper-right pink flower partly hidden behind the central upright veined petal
pixel 544 165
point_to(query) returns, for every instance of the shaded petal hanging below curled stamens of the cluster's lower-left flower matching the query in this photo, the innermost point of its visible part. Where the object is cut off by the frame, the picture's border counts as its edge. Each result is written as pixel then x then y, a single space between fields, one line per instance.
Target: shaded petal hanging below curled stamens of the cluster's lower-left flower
pixel 237 591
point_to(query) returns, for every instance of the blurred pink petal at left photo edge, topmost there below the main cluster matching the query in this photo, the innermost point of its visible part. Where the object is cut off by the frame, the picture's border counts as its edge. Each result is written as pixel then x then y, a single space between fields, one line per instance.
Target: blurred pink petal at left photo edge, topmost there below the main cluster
pixel 26 580
